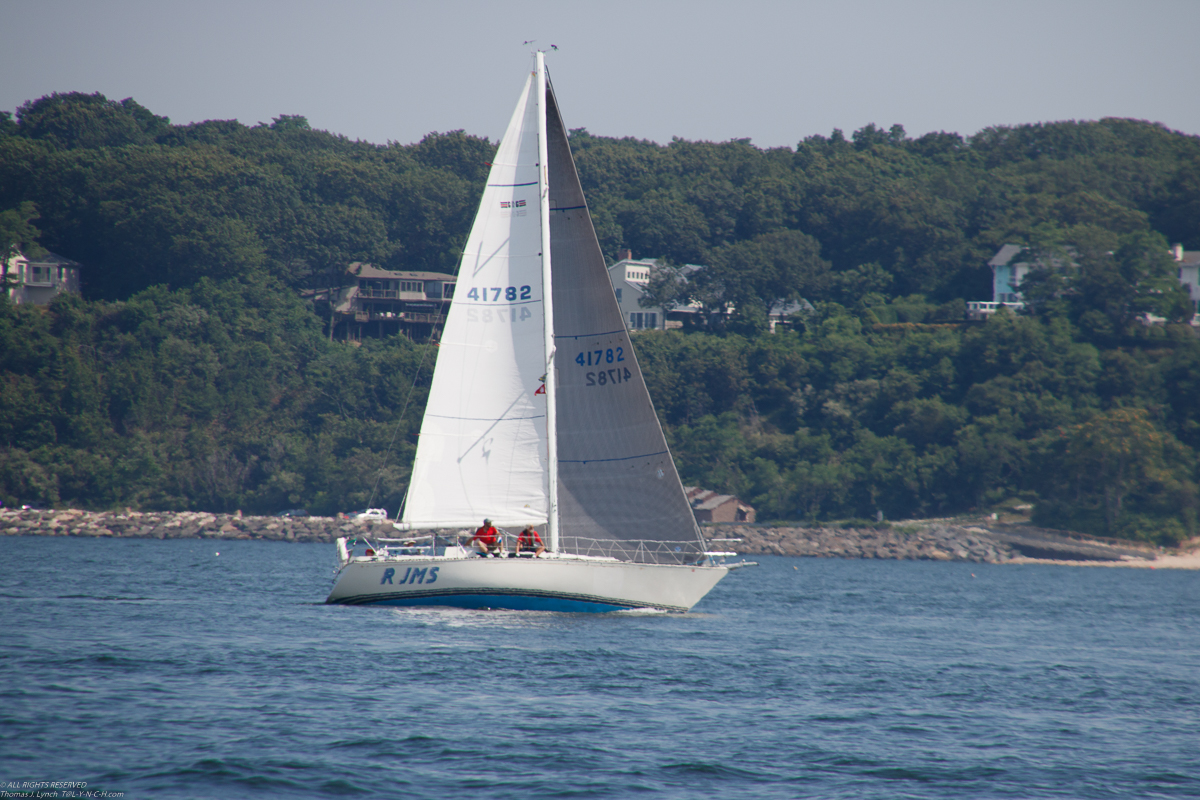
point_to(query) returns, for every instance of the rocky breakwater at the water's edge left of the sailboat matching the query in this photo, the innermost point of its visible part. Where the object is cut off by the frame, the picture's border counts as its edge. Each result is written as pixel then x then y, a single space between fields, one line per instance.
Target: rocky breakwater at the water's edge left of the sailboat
pixel 185 525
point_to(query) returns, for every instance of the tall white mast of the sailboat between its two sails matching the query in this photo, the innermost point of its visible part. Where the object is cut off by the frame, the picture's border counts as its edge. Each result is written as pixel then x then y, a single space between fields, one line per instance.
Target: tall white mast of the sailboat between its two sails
pixel 549 309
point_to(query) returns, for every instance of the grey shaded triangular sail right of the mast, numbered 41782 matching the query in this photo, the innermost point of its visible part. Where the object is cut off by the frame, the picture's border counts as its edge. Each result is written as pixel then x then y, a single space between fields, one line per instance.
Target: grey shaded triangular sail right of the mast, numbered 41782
pixel 616 477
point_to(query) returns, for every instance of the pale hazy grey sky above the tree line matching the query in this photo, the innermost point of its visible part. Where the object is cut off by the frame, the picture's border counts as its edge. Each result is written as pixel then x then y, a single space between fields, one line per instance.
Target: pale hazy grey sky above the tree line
pixel 712 70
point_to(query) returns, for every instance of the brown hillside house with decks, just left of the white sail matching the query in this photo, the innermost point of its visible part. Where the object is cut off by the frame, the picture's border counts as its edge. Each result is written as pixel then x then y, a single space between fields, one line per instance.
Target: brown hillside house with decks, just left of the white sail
pixel 391 302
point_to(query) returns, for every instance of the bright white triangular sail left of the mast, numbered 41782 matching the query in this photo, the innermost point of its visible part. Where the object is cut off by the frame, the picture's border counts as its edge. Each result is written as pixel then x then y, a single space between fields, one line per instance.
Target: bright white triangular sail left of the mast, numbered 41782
pixel 483 448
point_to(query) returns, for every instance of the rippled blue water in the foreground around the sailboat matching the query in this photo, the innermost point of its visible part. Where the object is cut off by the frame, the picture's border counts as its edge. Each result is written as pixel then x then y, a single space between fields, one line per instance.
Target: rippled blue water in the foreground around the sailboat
pixel 161 670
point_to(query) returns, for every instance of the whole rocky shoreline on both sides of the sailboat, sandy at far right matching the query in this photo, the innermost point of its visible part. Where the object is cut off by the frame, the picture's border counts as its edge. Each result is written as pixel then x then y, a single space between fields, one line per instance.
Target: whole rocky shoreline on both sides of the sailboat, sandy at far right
pixel 937 540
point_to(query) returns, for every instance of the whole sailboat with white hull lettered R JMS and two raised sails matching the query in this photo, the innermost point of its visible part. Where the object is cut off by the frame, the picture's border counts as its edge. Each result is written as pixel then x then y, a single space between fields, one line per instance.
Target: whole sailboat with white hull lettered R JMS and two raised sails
pixel 538 414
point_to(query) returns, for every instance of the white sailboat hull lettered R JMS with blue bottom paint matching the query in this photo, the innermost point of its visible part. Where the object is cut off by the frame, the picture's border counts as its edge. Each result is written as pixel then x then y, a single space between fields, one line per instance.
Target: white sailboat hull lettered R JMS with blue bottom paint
pixel 555 584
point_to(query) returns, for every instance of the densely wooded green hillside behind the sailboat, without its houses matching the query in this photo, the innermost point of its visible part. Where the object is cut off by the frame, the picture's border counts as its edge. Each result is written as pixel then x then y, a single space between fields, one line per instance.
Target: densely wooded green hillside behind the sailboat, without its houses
pixel 191 376
